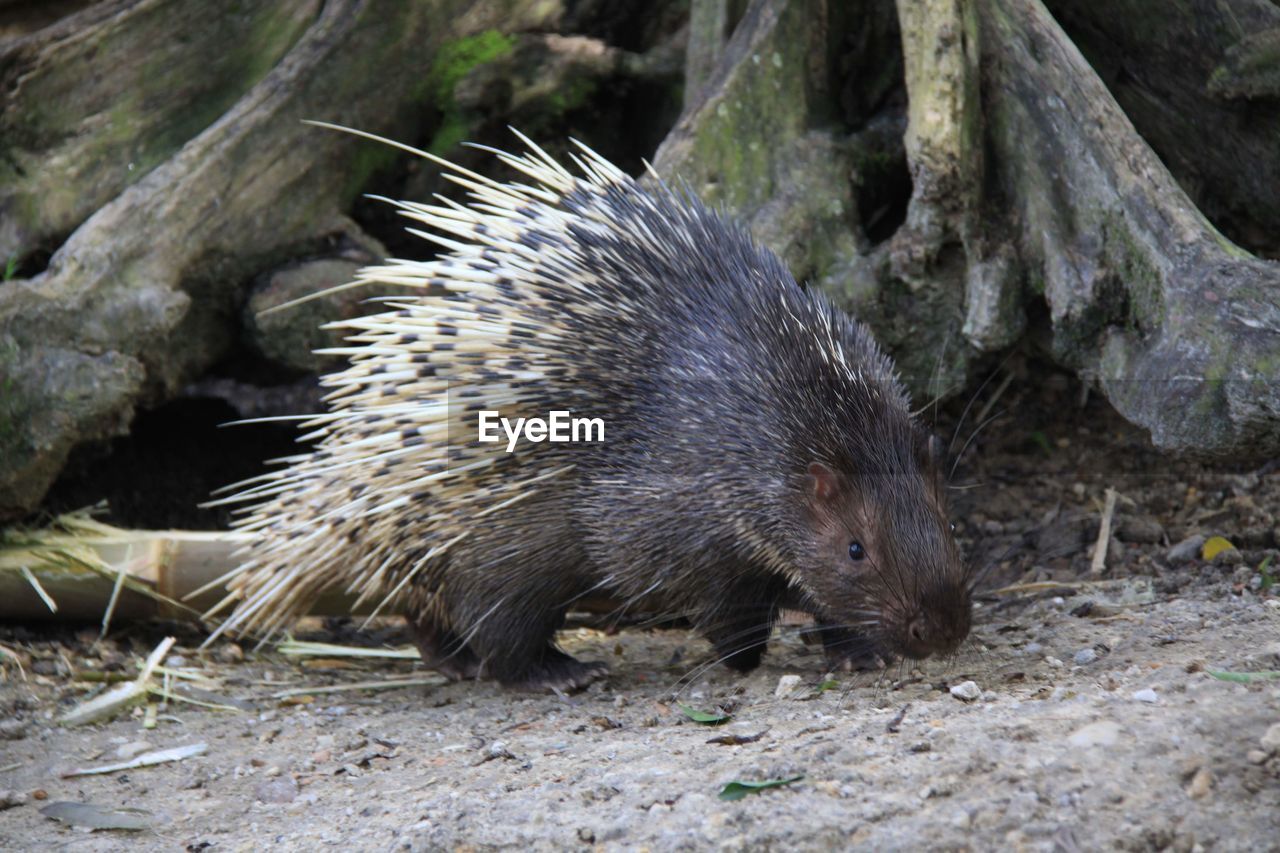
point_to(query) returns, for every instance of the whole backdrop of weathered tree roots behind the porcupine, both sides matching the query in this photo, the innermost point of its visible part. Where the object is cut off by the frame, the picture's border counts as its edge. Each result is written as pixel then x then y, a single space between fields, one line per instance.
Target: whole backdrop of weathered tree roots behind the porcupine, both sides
pixel 964 175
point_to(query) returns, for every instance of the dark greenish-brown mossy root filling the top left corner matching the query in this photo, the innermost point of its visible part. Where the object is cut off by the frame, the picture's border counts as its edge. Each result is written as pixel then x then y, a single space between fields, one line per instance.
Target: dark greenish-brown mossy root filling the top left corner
pixel 99 99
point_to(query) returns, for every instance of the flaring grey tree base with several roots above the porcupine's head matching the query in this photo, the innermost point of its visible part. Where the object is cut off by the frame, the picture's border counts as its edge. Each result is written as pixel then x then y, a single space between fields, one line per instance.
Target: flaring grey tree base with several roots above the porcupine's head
pixel 1030 184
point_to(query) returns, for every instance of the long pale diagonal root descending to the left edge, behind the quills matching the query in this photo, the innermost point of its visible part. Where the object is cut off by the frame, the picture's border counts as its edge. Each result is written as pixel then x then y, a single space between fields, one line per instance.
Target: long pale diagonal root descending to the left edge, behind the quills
pixel 147 291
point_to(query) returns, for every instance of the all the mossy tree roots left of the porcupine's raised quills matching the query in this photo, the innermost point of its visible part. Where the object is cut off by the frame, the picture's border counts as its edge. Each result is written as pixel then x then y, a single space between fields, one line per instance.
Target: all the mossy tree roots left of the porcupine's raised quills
pixel 185 172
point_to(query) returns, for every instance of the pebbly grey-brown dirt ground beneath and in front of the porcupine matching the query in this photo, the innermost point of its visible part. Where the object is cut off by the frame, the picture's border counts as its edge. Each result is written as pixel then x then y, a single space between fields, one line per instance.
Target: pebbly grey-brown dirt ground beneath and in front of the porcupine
pixel 1105 710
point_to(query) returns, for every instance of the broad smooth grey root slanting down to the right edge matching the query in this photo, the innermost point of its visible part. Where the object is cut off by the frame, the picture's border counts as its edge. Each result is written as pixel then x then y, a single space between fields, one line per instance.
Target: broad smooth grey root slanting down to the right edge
pixel 1180 327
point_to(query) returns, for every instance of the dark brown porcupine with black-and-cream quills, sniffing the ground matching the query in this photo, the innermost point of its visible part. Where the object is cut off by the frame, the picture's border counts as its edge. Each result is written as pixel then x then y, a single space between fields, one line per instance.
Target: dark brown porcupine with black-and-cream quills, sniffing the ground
pixel 761 451
